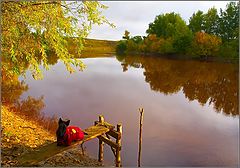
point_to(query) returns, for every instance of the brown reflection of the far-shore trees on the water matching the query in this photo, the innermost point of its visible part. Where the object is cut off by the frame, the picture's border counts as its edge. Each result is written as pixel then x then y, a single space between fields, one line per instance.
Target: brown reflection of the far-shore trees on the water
pixel 206 82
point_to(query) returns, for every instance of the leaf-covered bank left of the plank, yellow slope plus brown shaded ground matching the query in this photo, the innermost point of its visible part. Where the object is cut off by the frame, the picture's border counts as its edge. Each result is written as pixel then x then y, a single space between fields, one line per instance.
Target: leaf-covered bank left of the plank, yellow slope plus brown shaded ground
pixel 20 136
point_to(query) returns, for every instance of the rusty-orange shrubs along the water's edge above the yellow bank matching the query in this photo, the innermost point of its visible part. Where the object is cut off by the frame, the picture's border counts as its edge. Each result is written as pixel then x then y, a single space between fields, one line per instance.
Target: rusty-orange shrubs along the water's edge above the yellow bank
pixel 29 108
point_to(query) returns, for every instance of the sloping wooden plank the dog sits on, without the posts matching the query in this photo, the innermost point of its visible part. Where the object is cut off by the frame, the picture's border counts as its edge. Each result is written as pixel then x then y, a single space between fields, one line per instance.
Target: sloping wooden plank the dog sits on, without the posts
pixel 32 158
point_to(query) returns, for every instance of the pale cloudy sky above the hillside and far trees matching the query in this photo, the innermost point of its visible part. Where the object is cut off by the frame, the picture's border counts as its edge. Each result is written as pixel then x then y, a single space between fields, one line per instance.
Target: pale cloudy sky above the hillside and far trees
pixel 135 16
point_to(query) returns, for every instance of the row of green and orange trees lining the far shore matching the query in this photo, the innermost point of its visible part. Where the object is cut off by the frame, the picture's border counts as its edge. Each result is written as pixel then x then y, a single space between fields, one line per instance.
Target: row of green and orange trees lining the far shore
pixel 209 34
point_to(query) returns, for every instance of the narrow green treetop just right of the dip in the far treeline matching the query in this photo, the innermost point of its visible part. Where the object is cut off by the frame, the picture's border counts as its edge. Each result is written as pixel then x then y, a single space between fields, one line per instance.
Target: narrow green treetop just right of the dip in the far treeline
pixel 196 21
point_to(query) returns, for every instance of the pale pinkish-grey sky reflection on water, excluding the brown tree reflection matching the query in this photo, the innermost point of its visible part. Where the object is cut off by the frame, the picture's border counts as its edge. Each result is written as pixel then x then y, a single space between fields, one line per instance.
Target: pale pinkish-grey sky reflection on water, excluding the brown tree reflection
pixel 176 132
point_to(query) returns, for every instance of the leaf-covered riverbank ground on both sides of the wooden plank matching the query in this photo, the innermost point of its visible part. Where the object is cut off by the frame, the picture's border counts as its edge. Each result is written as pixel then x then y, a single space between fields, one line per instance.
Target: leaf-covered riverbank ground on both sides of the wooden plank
pixel 20 136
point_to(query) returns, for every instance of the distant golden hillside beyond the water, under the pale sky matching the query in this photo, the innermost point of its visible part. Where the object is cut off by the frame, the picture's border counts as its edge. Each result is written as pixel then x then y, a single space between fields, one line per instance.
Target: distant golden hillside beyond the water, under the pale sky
pixel 96 47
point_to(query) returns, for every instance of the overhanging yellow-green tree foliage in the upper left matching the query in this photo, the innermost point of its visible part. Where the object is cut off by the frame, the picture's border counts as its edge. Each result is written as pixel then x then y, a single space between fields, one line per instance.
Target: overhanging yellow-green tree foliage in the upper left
pixel 32 28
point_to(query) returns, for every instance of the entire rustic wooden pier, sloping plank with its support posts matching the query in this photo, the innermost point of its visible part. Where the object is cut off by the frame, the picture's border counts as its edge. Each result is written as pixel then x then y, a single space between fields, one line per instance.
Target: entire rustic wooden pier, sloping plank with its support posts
pixel 101 130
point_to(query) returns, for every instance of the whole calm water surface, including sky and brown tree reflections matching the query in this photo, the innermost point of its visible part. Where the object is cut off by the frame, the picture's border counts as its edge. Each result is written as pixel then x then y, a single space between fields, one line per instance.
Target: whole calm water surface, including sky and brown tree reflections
pixel 191 108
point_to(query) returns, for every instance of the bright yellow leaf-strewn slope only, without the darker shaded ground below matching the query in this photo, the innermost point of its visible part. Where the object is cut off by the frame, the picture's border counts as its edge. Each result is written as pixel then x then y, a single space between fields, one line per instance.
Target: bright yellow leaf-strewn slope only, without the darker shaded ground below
pixel 18 130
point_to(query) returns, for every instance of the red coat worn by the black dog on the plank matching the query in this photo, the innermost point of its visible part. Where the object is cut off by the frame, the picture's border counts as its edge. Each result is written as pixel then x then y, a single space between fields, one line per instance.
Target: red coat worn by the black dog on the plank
pixel 73 134
